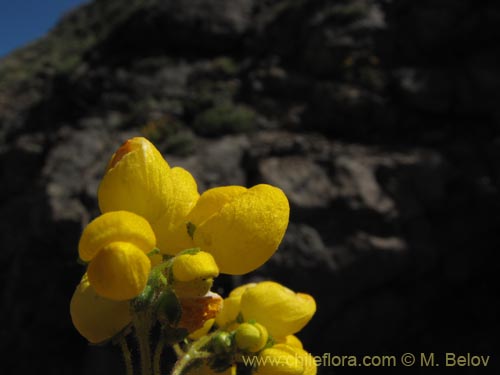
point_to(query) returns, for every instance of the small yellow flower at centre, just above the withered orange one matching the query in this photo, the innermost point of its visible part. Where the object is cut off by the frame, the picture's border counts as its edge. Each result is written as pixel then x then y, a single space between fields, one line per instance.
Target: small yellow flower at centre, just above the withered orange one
pixel 193 273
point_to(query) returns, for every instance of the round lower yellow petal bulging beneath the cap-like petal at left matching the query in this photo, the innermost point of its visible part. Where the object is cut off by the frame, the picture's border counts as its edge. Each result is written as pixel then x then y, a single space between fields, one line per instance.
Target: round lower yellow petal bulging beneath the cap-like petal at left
pixel 119 271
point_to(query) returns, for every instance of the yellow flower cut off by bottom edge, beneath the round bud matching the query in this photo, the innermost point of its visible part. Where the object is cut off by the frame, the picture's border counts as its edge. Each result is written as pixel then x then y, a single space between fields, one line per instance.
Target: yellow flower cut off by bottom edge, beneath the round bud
pixel 282 359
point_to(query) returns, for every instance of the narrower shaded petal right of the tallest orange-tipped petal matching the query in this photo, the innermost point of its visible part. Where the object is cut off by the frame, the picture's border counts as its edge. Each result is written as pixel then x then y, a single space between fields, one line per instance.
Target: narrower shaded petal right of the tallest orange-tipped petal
pixel 170 229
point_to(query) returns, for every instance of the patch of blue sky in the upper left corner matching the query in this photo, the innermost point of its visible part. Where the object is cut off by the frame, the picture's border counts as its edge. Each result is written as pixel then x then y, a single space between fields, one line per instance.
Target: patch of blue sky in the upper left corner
pixel 22 21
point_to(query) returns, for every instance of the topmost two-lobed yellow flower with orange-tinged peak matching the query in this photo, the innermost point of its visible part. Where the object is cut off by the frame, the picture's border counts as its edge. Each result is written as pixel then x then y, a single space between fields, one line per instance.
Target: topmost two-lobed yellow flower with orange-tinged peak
pixel 139 180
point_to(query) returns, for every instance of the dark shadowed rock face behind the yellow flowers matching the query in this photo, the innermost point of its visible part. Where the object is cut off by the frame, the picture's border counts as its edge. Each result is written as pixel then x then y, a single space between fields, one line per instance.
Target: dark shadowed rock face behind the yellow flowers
pixel 379 120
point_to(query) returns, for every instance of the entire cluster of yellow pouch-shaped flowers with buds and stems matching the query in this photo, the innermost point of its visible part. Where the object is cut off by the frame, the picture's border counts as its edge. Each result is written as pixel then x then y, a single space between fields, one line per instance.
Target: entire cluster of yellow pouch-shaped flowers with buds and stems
pixel 151 258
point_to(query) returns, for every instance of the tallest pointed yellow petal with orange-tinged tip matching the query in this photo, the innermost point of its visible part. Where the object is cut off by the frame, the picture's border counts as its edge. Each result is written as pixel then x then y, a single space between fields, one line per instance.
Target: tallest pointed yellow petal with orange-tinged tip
pixel 137 180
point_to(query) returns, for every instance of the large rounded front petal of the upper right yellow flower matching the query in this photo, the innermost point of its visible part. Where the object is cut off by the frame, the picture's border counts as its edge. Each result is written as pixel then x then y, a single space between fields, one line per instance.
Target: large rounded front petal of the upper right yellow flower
pixel 246 231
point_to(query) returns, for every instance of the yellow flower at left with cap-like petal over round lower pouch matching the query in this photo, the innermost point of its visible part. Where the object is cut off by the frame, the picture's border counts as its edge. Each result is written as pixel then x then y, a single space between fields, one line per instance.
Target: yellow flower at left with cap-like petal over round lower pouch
pixel 116 244
